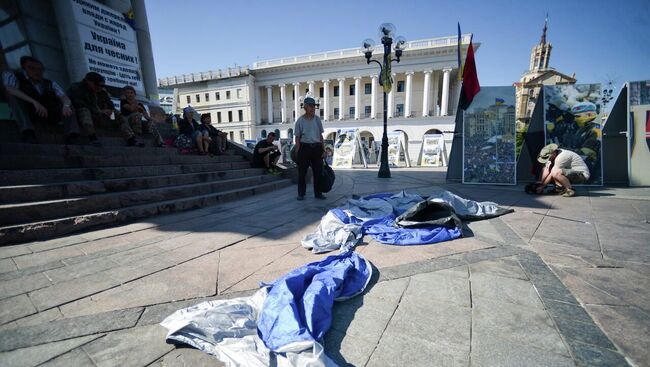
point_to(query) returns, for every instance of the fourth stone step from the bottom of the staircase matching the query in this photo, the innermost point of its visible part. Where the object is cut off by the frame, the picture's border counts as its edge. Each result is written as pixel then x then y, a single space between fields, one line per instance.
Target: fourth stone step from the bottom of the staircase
pixel 20 162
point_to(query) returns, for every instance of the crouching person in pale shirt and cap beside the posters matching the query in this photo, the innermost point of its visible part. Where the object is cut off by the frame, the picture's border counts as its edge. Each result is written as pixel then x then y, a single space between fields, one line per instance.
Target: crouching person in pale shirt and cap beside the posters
pixel 563 167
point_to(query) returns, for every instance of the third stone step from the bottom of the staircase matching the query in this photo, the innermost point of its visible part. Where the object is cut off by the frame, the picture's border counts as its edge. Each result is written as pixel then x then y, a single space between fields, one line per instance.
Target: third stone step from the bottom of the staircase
pixel 45 176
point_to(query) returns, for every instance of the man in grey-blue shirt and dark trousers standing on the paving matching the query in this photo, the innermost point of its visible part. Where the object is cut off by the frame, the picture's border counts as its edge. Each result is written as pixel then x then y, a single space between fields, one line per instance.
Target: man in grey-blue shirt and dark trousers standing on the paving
pixel 309 145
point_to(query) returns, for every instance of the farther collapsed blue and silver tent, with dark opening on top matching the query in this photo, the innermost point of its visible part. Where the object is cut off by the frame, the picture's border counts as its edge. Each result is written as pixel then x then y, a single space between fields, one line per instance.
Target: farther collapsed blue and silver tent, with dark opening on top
pixel 398 219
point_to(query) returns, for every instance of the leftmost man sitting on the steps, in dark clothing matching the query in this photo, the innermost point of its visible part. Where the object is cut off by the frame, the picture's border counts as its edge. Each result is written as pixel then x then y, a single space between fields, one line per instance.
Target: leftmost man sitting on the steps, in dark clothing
pixel 35 99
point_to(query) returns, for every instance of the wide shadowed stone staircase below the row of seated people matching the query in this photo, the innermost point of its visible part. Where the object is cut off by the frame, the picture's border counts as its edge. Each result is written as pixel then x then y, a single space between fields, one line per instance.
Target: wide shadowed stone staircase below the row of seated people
pixel 50 189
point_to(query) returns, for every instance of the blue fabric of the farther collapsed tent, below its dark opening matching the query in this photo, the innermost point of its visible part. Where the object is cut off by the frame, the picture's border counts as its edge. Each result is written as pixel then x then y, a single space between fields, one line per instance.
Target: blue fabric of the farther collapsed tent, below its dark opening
pixel 387 232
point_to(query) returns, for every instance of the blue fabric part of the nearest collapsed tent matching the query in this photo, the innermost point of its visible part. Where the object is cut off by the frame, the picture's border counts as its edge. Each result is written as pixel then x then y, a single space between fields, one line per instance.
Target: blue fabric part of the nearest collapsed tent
pixel 298 308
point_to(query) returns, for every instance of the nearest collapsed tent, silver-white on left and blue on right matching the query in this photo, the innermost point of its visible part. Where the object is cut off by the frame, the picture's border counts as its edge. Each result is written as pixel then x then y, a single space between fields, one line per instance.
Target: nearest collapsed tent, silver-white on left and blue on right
pixel 282 324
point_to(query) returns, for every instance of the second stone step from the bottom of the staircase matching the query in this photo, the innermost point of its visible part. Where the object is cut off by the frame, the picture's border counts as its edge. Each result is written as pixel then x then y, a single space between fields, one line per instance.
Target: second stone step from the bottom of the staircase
pixel 44 192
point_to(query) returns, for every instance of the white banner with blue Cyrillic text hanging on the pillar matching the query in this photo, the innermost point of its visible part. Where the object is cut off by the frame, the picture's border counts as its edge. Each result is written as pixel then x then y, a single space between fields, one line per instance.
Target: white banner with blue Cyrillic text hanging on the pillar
pixel 108 43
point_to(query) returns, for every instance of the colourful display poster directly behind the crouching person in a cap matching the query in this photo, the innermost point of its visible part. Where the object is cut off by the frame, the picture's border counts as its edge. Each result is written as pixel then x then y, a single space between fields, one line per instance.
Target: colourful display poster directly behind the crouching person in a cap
pixel 572 120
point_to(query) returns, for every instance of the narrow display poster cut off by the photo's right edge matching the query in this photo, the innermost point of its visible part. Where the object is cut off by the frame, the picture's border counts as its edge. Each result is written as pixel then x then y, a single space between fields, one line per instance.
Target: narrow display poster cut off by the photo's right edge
pixel 639 136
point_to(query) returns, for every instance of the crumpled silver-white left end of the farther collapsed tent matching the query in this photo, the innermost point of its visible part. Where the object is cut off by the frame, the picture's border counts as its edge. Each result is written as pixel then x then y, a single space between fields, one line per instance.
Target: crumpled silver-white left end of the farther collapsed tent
pixel 333 234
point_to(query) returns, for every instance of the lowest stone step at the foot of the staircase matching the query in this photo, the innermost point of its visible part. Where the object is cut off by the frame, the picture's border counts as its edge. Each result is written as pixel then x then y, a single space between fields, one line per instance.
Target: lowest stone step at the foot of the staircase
pixel 36 211
